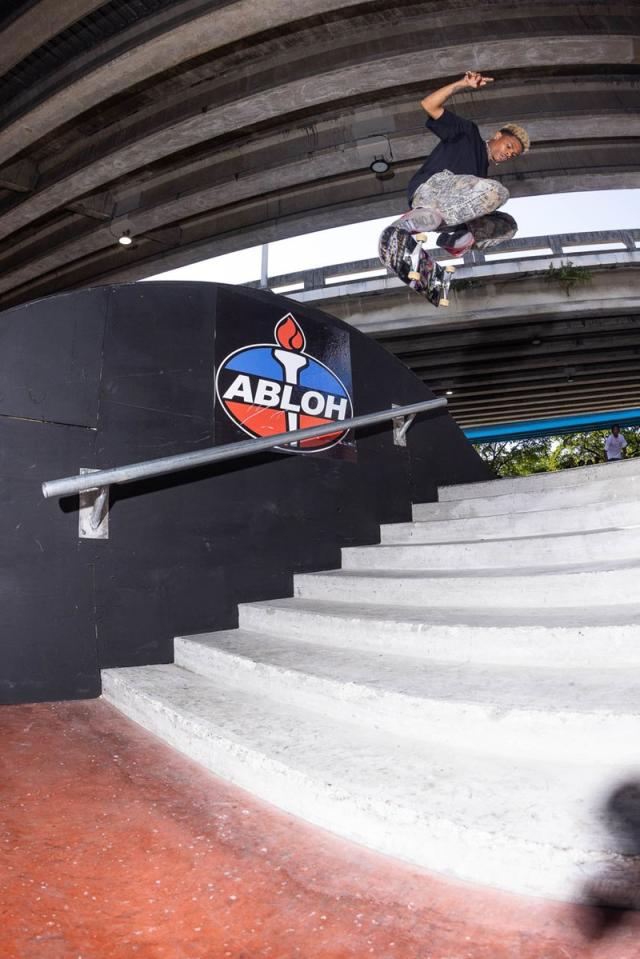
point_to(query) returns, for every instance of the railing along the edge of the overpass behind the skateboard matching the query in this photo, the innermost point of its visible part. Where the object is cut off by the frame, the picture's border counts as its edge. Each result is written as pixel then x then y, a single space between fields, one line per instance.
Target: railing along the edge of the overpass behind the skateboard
pixel 326 277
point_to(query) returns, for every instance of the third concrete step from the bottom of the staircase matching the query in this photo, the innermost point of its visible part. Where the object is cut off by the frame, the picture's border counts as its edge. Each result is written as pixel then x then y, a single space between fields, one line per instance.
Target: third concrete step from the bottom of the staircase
pixel 539 637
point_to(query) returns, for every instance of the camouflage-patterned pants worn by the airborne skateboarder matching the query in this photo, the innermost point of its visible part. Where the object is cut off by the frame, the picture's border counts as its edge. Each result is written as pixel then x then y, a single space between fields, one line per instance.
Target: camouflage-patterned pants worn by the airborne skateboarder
pixel 449 200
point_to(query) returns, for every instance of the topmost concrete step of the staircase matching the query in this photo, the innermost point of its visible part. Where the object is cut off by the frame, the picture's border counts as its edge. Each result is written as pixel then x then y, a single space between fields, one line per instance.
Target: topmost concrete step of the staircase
pixel 540 481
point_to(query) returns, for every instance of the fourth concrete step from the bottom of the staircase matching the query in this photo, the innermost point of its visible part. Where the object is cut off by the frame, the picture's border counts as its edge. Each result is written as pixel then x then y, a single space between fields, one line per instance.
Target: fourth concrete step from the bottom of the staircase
pixel 581 586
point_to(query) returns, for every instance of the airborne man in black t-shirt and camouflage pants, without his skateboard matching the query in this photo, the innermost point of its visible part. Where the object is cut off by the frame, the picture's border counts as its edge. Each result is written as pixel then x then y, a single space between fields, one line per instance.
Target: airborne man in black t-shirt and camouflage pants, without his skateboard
pixel 451 188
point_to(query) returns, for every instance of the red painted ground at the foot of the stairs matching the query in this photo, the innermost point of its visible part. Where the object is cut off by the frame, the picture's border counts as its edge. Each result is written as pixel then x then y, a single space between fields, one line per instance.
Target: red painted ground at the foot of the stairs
pixel 114 846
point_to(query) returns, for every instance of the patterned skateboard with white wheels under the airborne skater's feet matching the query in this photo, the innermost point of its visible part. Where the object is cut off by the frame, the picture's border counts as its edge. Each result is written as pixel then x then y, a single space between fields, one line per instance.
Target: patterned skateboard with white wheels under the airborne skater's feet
pixel 403 253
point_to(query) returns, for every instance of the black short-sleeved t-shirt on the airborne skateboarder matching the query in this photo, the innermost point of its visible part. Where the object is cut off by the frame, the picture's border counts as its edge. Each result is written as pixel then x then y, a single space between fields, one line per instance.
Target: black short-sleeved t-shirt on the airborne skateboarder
pixel 461 150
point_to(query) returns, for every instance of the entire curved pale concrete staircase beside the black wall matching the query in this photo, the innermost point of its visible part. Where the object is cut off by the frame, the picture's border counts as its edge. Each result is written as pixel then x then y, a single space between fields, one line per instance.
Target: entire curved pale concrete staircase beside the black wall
pixel 466 702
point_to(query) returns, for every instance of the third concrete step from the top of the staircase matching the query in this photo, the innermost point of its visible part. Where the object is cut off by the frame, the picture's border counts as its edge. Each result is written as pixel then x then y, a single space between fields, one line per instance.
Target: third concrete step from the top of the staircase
pixel 611 516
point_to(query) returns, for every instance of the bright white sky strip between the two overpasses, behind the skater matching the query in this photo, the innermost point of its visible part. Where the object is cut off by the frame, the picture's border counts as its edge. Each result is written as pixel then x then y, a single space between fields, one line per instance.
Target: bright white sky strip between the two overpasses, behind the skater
pixel 536 216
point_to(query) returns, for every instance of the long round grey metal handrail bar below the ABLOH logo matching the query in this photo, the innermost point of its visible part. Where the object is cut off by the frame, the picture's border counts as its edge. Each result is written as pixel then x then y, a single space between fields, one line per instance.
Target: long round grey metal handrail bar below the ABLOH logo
pixel 69 485
